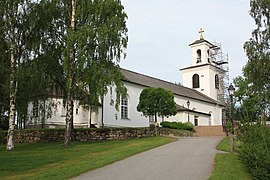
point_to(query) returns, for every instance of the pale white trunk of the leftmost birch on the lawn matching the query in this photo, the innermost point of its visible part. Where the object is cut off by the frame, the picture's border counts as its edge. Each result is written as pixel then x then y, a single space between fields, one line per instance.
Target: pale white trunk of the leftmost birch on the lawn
pixel 13 88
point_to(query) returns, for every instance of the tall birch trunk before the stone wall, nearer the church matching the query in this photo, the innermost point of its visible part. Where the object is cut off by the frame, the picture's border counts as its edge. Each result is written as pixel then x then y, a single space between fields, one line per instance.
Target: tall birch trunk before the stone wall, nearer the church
pixel 70 82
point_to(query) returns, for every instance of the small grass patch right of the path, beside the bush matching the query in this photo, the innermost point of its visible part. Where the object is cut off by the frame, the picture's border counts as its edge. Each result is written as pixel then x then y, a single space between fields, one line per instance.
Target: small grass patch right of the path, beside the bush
pixel 228 166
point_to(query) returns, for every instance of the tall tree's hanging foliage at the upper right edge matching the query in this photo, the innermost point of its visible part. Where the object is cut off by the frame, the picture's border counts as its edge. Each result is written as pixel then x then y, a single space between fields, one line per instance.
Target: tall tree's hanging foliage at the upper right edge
pixel 257 68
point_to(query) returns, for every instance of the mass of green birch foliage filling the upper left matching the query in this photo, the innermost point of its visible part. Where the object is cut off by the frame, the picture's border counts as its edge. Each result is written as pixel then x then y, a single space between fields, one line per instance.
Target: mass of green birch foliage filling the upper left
pixel 82 61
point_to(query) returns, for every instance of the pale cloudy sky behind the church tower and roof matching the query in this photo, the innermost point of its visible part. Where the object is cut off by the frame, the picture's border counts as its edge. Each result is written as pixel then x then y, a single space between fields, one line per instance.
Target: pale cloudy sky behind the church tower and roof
pixel 160 32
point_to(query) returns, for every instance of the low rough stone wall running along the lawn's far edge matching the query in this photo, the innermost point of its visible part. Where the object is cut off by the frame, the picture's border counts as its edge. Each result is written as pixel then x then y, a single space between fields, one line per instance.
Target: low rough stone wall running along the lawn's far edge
pixel 91 135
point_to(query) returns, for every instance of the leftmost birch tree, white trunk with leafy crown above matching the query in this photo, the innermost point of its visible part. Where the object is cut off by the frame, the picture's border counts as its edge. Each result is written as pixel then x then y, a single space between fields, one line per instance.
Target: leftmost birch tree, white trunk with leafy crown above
pixel 16 28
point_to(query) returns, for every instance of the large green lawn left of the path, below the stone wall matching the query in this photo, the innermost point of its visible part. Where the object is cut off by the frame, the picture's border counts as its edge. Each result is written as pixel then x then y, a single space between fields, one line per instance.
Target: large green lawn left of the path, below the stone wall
pixel 55 161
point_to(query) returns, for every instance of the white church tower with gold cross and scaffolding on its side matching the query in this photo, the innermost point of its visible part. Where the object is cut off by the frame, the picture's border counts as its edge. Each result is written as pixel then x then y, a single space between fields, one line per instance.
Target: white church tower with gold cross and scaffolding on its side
pixel 207 72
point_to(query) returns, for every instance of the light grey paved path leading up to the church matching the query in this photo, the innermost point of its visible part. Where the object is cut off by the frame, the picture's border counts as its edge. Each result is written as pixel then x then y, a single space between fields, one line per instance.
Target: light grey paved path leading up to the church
pixel 185 159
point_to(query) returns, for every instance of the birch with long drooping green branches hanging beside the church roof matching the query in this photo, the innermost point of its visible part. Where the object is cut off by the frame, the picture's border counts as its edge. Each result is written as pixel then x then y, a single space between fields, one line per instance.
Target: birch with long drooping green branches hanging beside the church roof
pixel 95 44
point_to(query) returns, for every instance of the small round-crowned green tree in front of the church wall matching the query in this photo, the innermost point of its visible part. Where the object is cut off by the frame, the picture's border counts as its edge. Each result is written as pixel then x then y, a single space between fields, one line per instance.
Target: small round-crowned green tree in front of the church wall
pixel 157 101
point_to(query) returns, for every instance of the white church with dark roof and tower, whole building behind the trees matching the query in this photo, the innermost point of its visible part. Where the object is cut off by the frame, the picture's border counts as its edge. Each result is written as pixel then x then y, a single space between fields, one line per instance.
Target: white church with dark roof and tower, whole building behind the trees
pixel 198 100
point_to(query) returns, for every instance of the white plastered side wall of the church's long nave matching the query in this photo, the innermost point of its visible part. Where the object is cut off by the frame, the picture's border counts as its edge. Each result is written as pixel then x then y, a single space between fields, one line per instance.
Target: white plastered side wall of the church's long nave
pixel 112 117
